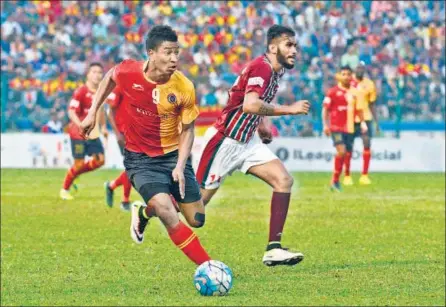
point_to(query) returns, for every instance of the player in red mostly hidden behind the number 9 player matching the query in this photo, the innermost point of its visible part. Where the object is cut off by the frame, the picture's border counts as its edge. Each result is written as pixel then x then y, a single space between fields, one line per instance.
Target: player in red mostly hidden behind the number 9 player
pixel 116 116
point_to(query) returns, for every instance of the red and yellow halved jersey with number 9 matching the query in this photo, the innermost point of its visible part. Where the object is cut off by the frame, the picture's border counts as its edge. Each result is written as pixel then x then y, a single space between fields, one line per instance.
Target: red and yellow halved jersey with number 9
pixel 153 111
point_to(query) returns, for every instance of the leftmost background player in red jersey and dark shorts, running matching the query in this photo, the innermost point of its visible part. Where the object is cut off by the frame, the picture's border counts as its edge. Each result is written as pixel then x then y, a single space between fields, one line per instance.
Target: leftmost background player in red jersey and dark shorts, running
pixel 77 111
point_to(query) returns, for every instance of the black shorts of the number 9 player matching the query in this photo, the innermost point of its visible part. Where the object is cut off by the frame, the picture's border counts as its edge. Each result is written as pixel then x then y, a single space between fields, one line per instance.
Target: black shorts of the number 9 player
pixel 151 176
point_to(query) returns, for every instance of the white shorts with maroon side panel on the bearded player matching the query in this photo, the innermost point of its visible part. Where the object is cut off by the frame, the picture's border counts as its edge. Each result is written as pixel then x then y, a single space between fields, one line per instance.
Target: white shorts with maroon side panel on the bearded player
pixel 222 155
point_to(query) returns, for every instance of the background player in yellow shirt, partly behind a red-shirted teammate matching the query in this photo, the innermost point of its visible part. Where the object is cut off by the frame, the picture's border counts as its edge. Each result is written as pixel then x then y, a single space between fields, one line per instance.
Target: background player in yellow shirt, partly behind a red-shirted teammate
pixel 366 92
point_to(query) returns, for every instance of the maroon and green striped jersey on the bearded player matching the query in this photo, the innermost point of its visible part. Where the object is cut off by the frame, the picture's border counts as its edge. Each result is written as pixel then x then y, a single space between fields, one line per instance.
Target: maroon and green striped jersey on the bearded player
pixel 258 76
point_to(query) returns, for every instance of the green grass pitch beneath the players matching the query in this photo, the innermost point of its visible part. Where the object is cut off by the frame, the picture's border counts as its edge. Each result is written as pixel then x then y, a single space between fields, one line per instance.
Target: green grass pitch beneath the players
pixel 377 245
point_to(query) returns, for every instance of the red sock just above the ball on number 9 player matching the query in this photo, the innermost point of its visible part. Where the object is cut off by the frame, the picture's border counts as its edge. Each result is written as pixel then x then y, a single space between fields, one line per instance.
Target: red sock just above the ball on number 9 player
pixel 186 240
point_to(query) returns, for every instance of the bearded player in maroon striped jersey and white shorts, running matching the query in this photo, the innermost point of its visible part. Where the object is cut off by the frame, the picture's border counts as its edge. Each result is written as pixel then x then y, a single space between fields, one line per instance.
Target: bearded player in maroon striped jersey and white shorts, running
pixel 231 143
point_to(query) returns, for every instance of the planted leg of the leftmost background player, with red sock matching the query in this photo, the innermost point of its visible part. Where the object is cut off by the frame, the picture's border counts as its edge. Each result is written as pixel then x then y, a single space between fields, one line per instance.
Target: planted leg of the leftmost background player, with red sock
pixel 78 151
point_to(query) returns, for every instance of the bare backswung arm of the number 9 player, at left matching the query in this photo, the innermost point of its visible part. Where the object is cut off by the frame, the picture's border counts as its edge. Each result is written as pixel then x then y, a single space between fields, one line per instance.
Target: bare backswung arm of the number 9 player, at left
pixel 105 88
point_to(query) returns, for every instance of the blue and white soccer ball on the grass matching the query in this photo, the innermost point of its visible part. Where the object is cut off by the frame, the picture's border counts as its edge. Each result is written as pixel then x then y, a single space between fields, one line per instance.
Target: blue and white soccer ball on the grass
pixel 213 278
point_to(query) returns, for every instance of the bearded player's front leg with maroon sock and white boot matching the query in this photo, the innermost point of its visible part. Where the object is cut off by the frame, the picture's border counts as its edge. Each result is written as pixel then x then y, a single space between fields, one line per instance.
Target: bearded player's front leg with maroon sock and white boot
pixel 274 173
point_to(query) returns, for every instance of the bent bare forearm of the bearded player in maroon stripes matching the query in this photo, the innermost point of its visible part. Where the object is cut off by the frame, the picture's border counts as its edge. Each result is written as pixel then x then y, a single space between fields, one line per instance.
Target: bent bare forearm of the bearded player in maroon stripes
pixel 252 104
